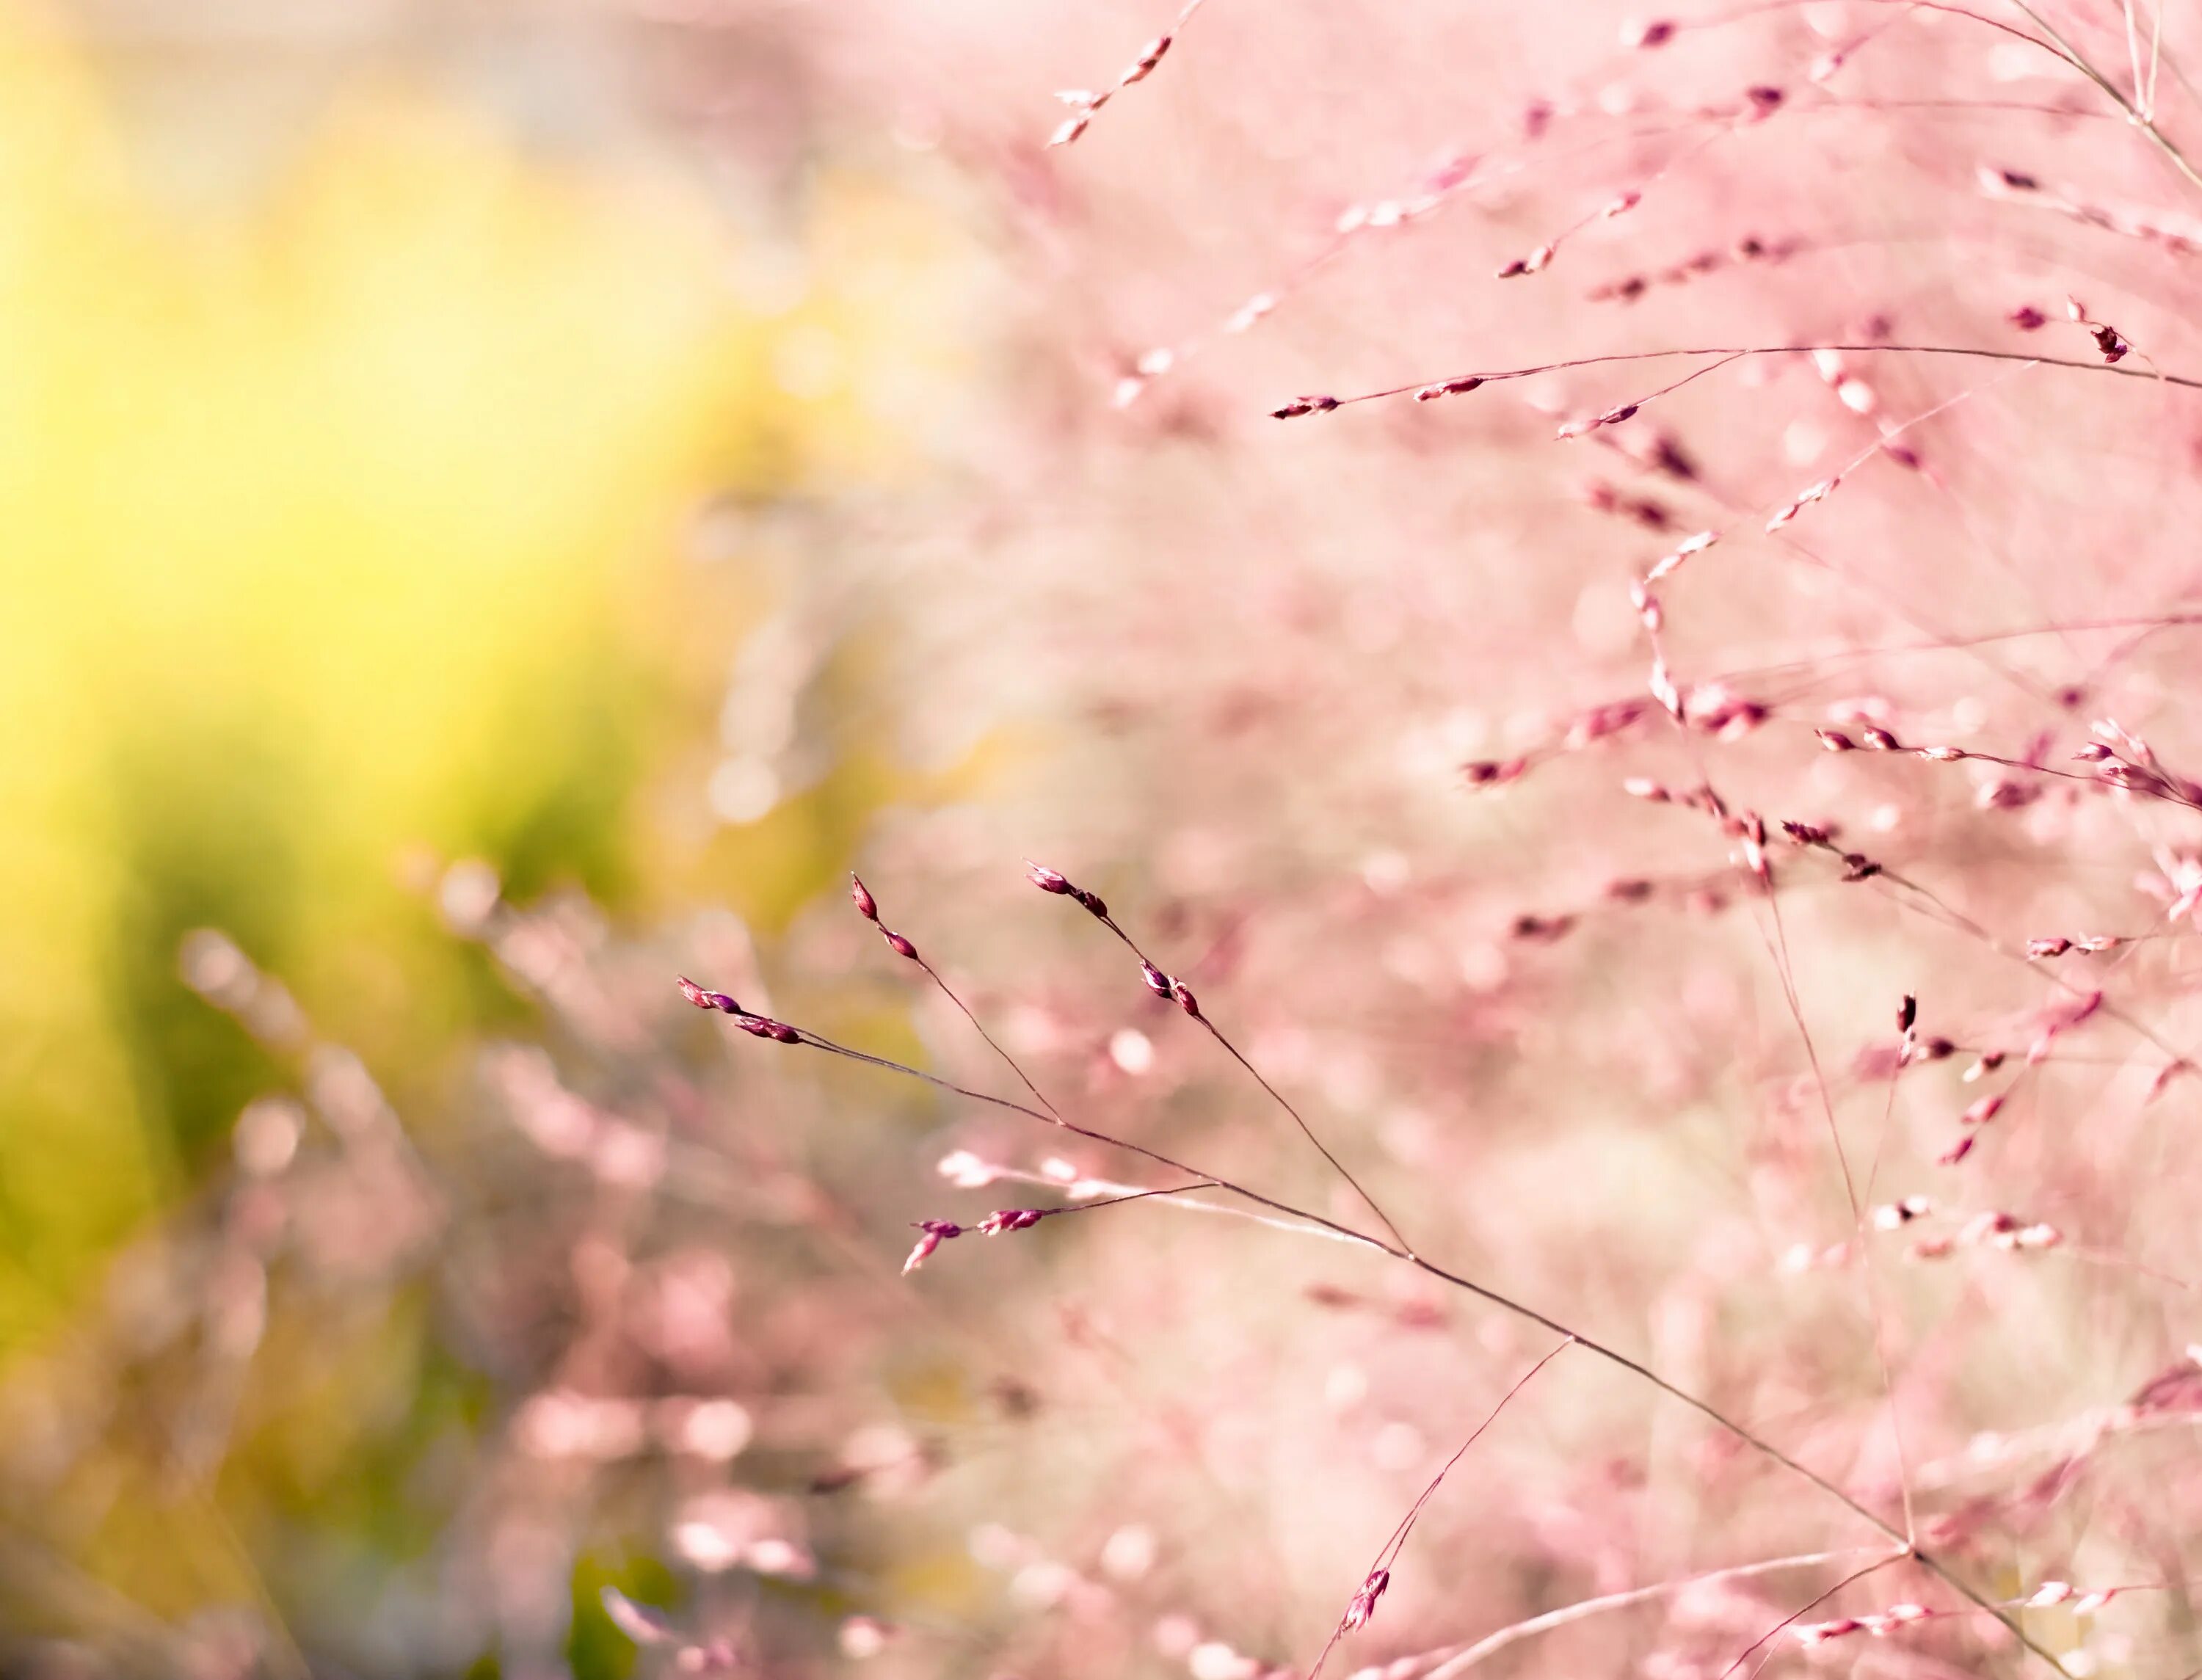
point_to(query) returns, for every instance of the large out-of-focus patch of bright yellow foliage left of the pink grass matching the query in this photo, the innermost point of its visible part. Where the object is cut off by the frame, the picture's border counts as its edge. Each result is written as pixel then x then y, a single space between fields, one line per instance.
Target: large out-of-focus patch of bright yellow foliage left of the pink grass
pixel 347 525
